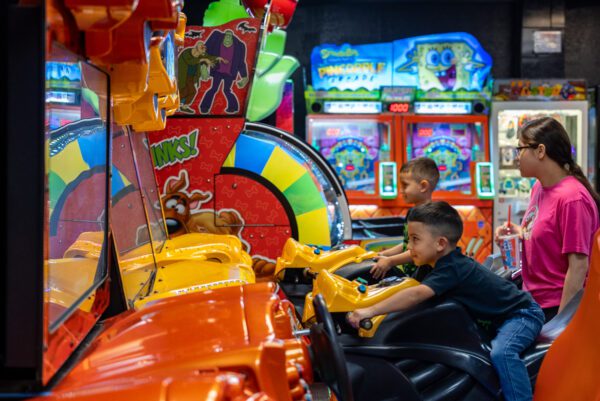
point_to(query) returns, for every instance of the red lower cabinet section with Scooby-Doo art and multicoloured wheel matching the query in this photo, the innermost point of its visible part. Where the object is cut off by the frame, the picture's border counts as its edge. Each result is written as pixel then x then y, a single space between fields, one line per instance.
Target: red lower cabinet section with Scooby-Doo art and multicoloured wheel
pixel 264 190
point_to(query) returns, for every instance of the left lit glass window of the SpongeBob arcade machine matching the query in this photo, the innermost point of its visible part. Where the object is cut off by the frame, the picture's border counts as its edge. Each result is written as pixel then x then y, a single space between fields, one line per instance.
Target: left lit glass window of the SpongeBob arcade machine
pixel 352 147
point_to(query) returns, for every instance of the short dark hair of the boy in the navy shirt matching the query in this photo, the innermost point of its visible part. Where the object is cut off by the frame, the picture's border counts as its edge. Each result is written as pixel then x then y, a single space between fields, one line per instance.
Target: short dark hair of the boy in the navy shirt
pixel 441 218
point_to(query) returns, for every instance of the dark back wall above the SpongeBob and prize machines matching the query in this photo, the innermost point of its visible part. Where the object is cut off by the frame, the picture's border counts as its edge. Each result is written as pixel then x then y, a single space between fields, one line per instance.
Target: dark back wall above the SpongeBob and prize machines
pixel 498 25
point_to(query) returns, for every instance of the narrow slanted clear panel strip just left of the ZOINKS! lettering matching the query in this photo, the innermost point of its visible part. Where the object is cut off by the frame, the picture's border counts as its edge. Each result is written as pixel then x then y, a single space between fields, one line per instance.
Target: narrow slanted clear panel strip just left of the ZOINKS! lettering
pixel 149 189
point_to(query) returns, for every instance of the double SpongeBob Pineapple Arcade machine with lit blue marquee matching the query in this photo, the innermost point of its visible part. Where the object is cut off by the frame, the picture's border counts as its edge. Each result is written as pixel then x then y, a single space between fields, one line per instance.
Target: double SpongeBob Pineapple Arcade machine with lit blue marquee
pixel 423 96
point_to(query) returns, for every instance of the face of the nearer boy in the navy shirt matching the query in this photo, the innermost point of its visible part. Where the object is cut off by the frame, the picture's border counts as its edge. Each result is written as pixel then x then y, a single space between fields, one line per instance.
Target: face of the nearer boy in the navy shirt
pixel 423 244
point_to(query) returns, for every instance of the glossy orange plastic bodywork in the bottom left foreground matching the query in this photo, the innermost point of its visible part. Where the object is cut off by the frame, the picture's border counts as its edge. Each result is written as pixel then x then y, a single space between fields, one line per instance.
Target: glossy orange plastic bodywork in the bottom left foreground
pixel 182 345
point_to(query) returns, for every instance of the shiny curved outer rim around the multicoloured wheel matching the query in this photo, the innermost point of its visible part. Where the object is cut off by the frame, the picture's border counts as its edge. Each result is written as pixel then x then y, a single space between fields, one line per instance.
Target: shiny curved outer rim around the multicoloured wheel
pixel 334 210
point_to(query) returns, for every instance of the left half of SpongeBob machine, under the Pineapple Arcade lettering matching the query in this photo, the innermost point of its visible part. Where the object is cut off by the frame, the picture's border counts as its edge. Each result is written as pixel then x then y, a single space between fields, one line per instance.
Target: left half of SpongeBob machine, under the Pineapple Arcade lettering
pixel 348 125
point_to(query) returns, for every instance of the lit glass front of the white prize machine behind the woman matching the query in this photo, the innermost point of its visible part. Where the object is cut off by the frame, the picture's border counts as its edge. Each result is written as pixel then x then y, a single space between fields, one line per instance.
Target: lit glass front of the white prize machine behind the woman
pixel 510 182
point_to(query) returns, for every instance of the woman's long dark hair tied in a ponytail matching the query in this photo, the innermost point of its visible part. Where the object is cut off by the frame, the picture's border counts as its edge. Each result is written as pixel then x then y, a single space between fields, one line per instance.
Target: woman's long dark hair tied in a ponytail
pixel 551 133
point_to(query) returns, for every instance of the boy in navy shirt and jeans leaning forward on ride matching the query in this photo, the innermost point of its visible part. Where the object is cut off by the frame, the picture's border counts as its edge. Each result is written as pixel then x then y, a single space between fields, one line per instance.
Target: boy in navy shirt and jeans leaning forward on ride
pixel 434 229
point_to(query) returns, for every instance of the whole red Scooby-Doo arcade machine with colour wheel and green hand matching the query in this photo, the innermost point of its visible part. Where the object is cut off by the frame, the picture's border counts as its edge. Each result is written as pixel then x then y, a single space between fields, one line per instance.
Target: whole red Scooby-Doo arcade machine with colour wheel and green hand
pixel 256 182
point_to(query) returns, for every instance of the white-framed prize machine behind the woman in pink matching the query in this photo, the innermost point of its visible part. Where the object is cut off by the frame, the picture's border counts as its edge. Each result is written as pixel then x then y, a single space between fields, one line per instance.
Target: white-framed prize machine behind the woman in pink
pixel 516 102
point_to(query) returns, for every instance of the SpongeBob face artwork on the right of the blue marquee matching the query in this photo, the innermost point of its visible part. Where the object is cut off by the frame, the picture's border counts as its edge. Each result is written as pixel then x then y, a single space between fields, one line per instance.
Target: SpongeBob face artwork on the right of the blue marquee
pixel 444 65
